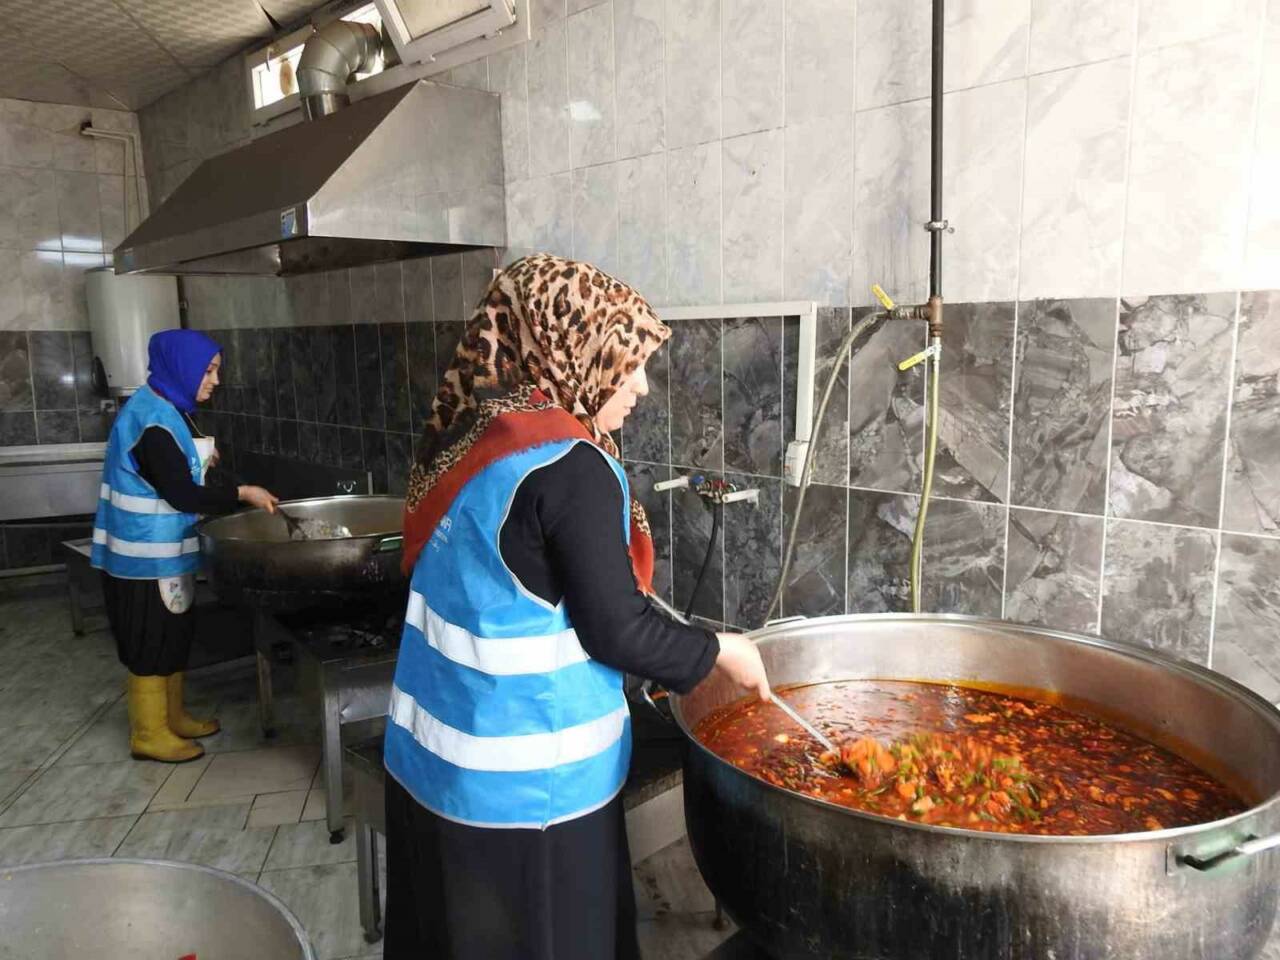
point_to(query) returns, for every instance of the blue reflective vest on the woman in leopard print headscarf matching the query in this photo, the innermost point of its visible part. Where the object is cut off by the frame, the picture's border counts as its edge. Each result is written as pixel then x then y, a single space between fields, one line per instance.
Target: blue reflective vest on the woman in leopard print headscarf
pixel 499 717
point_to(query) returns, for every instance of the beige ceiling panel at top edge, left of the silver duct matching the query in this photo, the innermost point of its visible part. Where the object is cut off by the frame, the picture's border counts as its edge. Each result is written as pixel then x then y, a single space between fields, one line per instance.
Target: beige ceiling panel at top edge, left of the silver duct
pixel 202 35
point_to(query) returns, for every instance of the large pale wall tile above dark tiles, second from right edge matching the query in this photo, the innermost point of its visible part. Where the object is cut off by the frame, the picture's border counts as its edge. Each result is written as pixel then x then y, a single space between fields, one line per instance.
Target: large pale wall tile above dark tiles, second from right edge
pixel 1190 154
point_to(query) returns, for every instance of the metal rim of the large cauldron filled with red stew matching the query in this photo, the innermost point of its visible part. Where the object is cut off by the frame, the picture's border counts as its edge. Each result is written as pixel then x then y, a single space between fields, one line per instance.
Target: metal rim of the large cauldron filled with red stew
pixel 1201 674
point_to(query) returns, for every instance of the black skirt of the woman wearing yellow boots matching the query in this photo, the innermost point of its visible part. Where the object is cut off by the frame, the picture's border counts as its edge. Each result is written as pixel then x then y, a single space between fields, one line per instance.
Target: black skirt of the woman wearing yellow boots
pixel 150 641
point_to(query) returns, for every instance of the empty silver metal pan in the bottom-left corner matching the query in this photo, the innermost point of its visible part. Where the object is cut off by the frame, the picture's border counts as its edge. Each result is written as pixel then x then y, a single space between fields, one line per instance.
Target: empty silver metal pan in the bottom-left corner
pixel 134 909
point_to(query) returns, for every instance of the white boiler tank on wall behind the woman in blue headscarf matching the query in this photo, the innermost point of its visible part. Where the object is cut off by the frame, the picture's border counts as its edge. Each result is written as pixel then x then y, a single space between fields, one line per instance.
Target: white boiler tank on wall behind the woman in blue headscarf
pixel 124 313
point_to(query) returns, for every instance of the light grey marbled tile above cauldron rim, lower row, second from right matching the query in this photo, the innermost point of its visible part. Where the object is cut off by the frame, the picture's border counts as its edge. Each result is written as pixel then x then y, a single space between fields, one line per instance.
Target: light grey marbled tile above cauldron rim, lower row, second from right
pixel 1158 588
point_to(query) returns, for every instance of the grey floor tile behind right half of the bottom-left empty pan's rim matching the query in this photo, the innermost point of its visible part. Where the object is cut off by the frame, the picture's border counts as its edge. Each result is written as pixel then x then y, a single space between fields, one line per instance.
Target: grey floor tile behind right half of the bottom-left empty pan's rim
pixel 214 836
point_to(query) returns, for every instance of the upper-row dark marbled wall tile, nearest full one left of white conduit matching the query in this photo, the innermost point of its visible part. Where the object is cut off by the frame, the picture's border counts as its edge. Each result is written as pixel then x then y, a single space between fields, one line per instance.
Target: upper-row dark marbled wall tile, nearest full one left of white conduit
pixel 753 396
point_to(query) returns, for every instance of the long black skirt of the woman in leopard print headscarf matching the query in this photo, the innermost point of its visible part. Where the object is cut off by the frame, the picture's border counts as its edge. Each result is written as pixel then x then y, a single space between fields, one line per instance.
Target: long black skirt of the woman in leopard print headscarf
pixel 458 893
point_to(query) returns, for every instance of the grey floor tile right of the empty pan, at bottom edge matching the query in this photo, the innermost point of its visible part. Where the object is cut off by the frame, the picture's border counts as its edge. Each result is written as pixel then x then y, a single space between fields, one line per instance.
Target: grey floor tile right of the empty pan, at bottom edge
pixel 324 900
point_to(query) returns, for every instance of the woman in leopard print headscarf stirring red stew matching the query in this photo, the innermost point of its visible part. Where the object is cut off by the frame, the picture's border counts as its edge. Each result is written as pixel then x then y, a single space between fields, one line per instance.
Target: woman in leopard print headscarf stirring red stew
pixel 509 735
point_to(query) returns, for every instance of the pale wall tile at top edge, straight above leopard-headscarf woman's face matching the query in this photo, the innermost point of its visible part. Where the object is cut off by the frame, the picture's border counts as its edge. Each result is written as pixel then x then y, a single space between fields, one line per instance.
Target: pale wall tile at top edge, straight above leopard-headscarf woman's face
pixel 639 81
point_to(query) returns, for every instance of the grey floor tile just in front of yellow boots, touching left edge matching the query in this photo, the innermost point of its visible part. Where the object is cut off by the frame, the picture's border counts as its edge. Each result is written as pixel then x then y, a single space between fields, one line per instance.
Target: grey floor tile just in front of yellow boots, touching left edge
pixel 88 793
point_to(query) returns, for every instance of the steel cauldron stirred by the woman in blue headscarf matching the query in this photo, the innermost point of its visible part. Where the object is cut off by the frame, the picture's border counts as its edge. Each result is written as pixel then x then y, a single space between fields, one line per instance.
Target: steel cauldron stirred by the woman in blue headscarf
pixel 250 559
